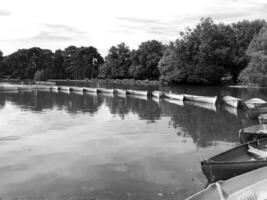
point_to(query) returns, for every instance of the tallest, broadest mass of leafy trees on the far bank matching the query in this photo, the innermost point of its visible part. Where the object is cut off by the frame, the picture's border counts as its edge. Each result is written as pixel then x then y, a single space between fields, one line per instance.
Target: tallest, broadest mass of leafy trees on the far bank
pixel 208 52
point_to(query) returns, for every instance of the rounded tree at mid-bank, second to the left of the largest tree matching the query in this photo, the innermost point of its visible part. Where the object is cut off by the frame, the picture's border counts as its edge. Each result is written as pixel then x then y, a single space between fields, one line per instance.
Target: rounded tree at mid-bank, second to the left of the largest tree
pixel 118 61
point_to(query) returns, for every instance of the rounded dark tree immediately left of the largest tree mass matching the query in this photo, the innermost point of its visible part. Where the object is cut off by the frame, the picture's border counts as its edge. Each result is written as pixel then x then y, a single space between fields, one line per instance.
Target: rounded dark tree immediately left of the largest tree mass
pixel 145 60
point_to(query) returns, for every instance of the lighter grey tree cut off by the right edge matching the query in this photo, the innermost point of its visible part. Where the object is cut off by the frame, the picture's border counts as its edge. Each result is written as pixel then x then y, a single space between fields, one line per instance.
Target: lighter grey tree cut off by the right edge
pixel 256 71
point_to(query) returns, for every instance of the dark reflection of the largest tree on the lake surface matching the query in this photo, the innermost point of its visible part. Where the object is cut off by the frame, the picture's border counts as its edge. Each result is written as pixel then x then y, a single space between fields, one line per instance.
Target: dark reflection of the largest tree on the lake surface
pixel 204 125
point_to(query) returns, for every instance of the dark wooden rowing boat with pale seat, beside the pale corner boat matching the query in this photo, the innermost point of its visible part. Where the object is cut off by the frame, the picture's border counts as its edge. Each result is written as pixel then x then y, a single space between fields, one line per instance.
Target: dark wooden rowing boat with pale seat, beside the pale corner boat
pixel 235 161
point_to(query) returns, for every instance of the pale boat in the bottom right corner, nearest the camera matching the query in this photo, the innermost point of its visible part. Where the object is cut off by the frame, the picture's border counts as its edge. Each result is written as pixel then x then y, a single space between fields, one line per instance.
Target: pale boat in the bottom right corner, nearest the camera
pixel 248 186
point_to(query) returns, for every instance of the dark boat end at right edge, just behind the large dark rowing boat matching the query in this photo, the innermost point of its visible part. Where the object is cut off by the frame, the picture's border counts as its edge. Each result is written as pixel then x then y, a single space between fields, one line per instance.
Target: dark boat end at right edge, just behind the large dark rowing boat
pixel 253 133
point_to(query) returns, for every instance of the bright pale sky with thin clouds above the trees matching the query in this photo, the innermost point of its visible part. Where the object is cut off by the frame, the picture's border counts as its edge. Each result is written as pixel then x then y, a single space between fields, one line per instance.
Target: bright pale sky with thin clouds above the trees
pixel 57 24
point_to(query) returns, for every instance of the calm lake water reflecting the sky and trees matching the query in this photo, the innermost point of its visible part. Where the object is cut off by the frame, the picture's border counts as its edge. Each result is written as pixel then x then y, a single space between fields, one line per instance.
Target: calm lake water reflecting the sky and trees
pixel 59 146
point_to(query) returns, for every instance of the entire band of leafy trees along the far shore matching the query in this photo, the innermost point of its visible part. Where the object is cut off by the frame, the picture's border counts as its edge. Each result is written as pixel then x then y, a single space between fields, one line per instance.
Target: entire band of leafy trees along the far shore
pixel 209 53
